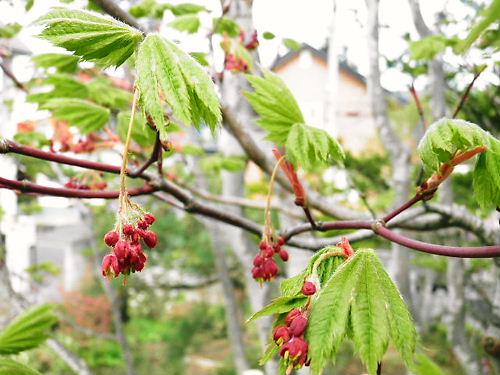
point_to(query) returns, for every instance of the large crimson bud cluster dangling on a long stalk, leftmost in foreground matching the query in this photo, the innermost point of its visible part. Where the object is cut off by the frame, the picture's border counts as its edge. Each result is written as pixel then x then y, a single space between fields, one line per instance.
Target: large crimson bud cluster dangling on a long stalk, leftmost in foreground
pixel 128 255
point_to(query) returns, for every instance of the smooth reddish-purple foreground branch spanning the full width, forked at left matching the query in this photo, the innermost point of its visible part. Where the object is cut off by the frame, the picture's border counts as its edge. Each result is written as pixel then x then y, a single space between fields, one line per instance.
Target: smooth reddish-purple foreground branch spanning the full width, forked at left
pixel 192 205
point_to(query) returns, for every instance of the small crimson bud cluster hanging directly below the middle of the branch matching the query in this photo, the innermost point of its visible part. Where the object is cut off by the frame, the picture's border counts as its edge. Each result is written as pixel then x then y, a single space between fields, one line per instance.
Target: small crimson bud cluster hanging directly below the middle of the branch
pixel 265 267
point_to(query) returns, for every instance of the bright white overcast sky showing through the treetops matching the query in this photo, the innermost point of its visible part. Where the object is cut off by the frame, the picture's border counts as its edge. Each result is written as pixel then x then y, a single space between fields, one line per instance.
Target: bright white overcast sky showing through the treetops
pixel 306 21
